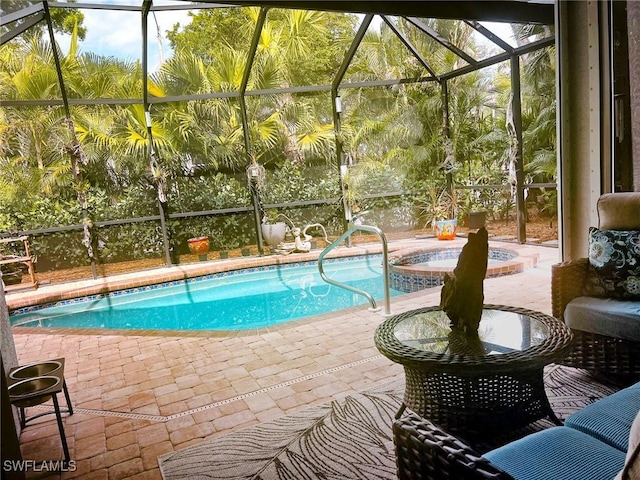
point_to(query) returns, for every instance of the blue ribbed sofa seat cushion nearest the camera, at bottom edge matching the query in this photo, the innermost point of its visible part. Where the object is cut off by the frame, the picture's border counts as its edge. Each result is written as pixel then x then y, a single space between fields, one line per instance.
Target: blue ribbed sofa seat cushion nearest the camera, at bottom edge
pixel 558 453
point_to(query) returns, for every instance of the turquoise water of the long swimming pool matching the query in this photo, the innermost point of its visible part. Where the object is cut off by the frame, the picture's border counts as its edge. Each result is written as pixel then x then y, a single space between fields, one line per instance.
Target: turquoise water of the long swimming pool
pixel 253 298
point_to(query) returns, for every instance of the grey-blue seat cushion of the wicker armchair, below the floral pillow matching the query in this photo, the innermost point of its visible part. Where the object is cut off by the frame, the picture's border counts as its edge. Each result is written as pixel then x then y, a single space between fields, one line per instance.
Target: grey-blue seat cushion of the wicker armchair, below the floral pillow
pixel 604 316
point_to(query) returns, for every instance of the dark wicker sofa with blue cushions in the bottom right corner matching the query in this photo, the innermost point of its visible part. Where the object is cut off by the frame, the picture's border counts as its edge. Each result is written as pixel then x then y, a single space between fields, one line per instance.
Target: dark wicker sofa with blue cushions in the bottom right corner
pixel 599 442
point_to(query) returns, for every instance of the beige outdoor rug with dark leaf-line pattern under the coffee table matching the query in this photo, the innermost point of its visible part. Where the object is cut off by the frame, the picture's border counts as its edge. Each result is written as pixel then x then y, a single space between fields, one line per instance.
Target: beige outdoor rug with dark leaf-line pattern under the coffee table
pixel 348 438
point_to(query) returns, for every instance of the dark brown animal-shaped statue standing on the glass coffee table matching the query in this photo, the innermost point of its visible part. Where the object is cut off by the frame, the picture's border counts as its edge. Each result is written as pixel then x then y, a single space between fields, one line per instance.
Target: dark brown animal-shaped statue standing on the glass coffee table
pixel 462 295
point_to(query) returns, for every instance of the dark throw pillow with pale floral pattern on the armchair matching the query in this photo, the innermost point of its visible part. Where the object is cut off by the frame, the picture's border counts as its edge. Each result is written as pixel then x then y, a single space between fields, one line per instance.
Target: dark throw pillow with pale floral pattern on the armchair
pixel 614 264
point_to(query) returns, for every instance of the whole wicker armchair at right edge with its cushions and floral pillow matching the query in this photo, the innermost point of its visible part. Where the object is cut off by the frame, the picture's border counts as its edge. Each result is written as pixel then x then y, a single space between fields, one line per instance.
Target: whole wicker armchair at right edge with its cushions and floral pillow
pixel 605 321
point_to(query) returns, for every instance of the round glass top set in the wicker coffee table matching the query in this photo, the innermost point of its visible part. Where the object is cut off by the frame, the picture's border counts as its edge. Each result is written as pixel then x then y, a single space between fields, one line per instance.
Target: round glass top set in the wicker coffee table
pixel 500 332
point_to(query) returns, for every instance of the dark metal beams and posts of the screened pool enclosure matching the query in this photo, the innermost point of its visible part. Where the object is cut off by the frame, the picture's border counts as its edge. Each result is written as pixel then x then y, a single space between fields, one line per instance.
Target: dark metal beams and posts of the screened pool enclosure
pixel 37 13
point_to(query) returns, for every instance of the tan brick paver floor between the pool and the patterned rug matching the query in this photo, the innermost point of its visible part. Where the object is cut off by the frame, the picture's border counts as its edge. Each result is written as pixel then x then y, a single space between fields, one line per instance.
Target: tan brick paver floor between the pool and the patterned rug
pixel 140 396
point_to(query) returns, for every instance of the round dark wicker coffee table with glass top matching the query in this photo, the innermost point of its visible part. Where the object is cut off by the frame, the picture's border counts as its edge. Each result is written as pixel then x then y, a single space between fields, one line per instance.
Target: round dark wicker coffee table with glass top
pixel 475 388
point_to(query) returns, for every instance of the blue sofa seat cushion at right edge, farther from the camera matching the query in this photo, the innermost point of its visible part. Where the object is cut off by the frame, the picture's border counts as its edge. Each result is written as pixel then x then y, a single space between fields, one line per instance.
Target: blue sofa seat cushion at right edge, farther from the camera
pixel 609 419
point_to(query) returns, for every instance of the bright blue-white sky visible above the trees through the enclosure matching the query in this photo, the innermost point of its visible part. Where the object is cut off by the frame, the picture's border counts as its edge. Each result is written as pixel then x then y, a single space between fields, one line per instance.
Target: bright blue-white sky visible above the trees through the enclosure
pixel 118 33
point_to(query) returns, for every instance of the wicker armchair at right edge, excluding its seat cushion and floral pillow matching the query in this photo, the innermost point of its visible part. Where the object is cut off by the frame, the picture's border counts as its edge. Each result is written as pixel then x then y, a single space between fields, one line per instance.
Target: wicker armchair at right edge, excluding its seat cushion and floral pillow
pixel 592 351
